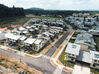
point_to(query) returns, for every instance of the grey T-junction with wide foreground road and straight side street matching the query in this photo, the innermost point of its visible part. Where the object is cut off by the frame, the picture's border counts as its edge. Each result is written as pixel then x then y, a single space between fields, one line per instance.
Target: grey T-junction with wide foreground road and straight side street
pixel 42 63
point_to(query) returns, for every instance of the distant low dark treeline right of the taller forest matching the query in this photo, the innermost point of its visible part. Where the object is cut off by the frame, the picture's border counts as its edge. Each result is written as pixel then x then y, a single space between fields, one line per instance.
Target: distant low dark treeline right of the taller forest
pixel 55 13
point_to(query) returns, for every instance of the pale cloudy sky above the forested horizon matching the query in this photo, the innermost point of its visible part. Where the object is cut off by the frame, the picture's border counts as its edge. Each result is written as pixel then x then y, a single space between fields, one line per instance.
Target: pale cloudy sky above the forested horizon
pixel 54 4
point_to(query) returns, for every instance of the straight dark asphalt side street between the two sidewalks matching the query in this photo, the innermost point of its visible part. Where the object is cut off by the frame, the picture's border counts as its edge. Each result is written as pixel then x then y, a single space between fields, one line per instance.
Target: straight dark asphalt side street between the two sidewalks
pixel 51 51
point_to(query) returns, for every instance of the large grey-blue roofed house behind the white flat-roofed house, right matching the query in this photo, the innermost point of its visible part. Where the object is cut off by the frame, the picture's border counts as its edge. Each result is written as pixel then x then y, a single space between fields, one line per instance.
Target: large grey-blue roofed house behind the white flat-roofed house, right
pixel 86 41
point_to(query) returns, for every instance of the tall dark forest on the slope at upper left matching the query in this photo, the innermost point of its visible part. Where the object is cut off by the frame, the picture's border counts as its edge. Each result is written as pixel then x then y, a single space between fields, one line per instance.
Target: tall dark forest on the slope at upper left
pixel 6 12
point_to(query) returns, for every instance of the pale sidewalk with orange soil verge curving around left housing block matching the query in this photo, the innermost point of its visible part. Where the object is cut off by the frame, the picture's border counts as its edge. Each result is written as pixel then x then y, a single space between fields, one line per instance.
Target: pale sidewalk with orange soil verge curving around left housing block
pixel 34 55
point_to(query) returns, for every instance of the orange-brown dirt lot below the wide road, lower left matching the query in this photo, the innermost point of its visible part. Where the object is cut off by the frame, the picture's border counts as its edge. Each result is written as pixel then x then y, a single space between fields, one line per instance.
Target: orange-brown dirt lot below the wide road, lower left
pixel 15 65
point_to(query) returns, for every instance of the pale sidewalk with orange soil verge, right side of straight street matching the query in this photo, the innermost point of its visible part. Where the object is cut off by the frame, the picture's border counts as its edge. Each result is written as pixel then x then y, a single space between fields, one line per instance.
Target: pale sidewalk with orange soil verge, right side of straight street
pixel 55 61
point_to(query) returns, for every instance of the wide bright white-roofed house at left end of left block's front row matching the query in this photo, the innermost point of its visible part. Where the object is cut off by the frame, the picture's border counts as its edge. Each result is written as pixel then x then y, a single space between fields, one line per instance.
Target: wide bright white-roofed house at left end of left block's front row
pixel 12 39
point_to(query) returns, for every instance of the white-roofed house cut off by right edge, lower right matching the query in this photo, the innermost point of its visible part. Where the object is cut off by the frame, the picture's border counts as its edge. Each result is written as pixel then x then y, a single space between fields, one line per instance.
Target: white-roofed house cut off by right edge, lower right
pixel 95 59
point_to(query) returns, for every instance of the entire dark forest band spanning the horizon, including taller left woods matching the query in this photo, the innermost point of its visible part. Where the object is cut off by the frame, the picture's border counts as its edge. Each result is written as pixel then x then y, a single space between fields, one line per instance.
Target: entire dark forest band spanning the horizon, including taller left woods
pixel 11 15
